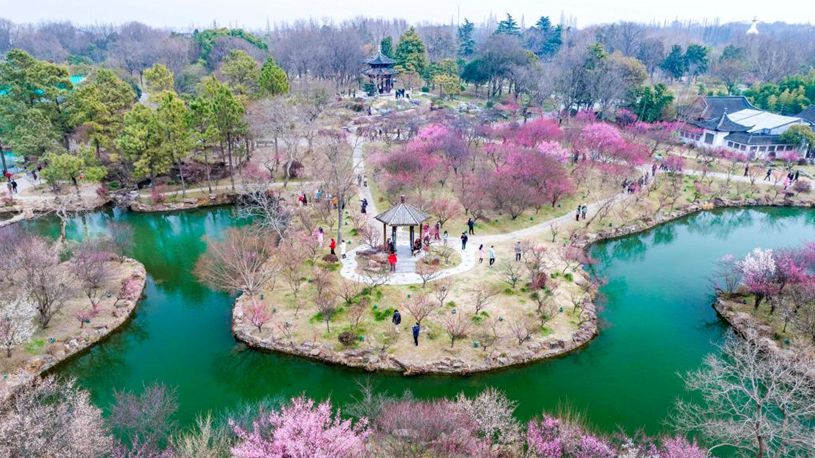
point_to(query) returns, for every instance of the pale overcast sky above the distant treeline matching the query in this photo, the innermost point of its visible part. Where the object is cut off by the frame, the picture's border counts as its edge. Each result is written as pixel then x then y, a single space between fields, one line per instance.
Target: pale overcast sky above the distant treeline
pixel 185 14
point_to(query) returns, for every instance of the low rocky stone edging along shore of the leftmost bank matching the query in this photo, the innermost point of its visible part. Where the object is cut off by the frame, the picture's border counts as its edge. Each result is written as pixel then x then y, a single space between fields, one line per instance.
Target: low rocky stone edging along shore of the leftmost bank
pixel 62 350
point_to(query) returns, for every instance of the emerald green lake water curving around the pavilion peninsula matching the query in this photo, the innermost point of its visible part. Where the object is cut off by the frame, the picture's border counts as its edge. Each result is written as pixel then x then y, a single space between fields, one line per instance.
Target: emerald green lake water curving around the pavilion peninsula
pixel 657 322
